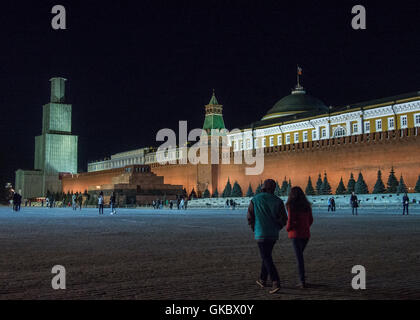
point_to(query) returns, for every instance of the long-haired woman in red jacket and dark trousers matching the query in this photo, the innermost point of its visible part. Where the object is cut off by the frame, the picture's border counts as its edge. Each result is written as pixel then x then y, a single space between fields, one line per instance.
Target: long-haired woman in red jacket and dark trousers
pixel 298 224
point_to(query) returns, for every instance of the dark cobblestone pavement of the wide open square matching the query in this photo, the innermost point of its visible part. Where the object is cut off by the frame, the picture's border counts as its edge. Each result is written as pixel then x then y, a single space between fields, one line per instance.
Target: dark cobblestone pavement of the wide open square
pixel 200 254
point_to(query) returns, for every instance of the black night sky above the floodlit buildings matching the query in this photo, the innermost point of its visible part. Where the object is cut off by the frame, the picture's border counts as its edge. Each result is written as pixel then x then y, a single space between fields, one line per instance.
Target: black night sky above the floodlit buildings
pixel 134 67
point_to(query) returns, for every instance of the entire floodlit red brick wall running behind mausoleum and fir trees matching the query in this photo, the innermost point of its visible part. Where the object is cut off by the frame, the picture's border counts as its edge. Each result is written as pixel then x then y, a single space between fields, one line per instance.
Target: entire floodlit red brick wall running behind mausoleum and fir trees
pixel 337 157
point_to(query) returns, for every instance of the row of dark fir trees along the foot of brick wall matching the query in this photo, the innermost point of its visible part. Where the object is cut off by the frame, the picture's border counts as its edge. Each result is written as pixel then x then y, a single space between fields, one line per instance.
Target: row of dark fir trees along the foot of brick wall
pixel 323 187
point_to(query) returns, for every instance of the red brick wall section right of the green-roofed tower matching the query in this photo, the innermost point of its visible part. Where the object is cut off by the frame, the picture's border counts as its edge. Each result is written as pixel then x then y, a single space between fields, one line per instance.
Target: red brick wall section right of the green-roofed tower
pixel 337 157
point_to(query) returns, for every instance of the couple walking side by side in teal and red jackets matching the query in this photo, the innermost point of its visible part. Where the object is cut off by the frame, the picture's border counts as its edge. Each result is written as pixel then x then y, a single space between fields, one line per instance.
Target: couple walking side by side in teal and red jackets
pixel 267 216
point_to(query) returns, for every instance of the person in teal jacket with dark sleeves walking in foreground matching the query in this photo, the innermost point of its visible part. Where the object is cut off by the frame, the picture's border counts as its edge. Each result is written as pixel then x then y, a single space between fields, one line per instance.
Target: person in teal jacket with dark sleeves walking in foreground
pixel 266 217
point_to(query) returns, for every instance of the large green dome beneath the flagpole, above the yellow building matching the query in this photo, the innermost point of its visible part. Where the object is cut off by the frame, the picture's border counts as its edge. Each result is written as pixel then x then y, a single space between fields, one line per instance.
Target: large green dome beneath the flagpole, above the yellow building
pixel 295 103
